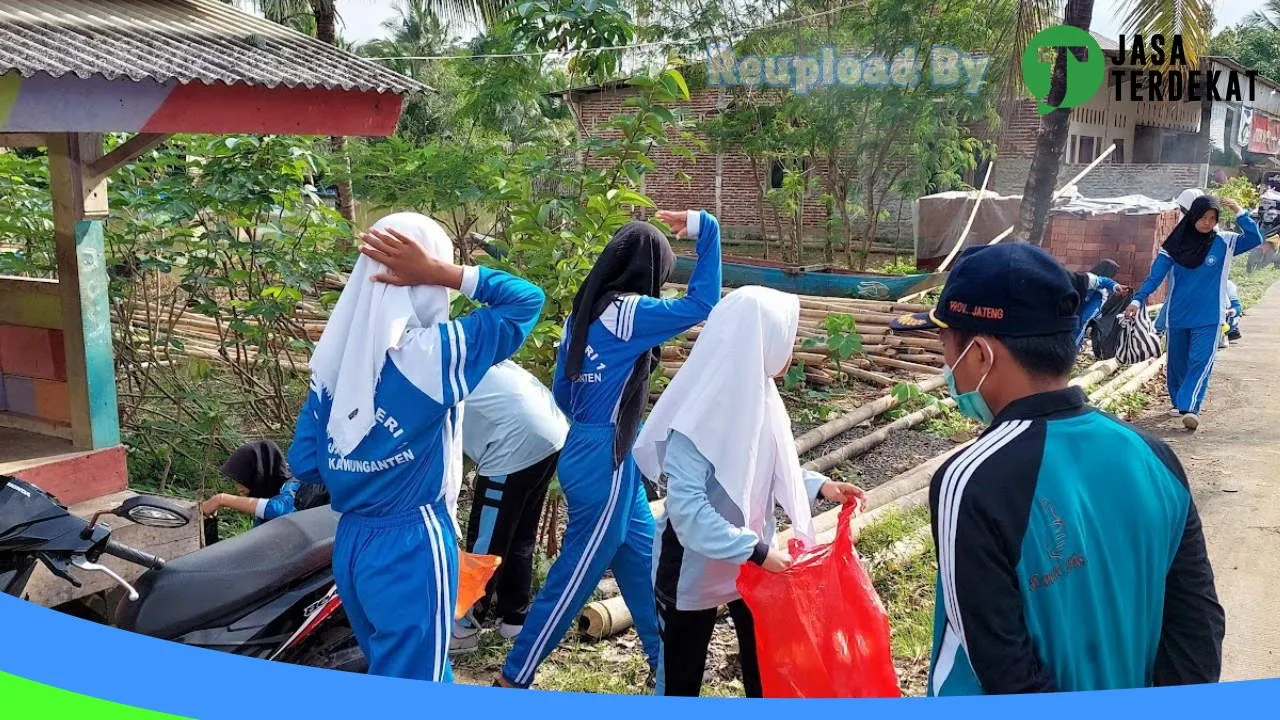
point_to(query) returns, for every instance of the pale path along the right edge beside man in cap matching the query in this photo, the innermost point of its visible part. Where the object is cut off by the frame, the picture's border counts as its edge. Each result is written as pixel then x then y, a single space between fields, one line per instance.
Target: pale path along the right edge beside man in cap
pixel 1235 466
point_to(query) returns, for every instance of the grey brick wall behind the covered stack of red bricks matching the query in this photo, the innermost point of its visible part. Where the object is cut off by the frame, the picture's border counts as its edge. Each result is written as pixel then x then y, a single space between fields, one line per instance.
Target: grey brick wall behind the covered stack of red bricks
pixel 1159 181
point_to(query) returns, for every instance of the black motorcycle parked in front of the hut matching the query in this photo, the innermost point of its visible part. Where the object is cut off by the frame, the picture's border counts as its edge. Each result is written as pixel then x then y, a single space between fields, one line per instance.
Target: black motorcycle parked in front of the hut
pixel 266 594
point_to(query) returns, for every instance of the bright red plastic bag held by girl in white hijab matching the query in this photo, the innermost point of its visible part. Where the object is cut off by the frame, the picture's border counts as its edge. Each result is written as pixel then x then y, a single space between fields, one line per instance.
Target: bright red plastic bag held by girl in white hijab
pixel 821 631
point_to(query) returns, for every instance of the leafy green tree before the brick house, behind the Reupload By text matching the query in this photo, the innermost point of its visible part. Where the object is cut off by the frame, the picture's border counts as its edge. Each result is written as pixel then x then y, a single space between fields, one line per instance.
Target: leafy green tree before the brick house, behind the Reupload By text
pixel 853 148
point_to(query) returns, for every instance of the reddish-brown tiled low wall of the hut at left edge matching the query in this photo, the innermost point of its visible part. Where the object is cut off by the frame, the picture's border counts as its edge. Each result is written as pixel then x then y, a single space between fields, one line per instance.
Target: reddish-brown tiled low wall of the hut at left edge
pixel 34 373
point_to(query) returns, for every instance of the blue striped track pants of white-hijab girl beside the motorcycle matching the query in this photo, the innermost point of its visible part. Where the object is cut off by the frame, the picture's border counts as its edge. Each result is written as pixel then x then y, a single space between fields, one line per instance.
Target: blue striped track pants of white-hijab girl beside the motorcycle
pixel 399 578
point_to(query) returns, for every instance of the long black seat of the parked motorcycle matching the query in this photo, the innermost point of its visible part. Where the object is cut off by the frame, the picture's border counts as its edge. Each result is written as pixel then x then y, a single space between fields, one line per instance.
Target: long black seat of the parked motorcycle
pixel 236 573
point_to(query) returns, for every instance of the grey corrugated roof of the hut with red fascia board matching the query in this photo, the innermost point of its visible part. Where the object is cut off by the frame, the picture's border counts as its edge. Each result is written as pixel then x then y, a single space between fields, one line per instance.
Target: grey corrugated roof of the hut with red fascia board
pixel 177 40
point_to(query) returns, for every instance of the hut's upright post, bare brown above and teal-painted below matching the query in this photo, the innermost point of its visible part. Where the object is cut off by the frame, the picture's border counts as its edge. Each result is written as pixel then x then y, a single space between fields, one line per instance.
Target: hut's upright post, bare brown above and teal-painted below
pixel 80 208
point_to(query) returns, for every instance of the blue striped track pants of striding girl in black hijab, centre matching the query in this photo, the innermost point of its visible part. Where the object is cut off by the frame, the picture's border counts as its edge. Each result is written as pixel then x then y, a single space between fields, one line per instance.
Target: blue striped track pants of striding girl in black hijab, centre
pixel 610 528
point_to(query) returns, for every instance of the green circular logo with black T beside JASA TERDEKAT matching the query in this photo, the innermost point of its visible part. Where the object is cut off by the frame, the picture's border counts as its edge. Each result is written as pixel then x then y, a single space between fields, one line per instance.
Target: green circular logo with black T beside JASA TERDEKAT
pixel 1084 80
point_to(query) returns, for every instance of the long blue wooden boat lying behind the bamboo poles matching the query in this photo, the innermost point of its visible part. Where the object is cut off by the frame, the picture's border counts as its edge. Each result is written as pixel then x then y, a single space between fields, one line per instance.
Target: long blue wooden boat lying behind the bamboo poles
pixel 822 281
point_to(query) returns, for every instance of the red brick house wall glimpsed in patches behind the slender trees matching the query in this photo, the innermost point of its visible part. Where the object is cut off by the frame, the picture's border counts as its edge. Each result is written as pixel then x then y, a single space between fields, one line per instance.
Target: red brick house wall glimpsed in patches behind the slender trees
pixel 739 193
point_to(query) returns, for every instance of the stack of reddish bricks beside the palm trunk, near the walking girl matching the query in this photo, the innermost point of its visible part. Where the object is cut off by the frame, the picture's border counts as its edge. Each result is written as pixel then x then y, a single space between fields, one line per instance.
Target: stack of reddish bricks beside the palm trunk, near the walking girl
pixel 1132 241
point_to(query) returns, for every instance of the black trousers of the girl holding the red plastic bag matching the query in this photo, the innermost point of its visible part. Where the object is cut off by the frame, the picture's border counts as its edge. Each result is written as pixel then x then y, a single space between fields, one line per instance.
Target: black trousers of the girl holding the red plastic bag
pixel 687 635
